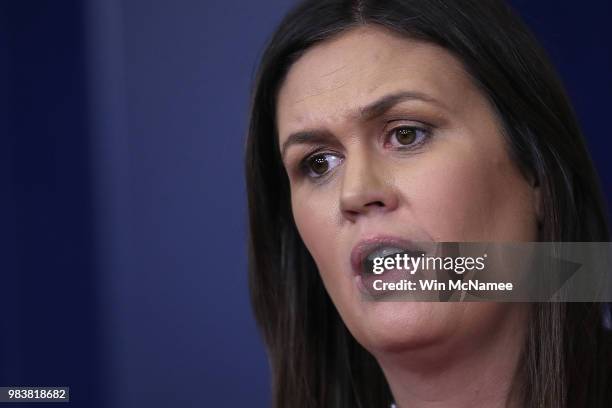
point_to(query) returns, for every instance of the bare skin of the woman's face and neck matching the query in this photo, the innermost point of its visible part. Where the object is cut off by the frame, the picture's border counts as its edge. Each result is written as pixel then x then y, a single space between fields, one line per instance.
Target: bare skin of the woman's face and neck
pixel 457 183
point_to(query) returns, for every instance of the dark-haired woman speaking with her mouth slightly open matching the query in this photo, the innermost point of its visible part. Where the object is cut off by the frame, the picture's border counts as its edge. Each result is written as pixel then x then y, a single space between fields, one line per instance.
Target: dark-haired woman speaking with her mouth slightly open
pixel 379 123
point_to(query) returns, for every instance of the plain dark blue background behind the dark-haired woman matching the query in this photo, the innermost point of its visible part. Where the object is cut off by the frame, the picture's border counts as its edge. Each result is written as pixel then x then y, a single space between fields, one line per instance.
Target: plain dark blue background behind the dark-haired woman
pixel 123 218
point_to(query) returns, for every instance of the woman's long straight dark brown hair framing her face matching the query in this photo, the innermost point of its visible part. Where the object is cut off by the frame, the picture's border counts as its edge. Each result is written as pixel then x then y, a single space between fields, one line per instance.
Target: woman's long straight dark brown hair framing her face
pixel 315 361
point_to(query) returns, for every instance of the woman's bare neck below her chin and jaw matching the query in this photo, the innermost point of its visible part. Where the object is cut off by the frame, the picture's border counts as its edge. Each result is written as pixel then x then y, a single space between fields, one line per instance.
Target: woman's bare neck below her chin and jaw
pixel 474 373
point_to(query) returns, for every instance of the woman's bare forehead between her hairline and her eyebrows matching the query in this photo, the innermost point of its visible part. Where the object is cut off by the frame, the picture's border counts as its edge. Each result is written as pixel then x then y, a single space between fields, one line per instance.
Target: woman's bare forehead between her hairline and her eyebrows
pixel 334 79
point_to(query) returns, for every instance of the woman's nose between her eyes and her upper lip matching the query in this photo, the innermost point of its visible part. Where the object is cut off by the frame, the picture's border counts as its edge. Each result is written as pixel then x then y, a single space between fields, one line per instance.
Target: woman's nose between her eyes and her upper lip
pixel 365 189
